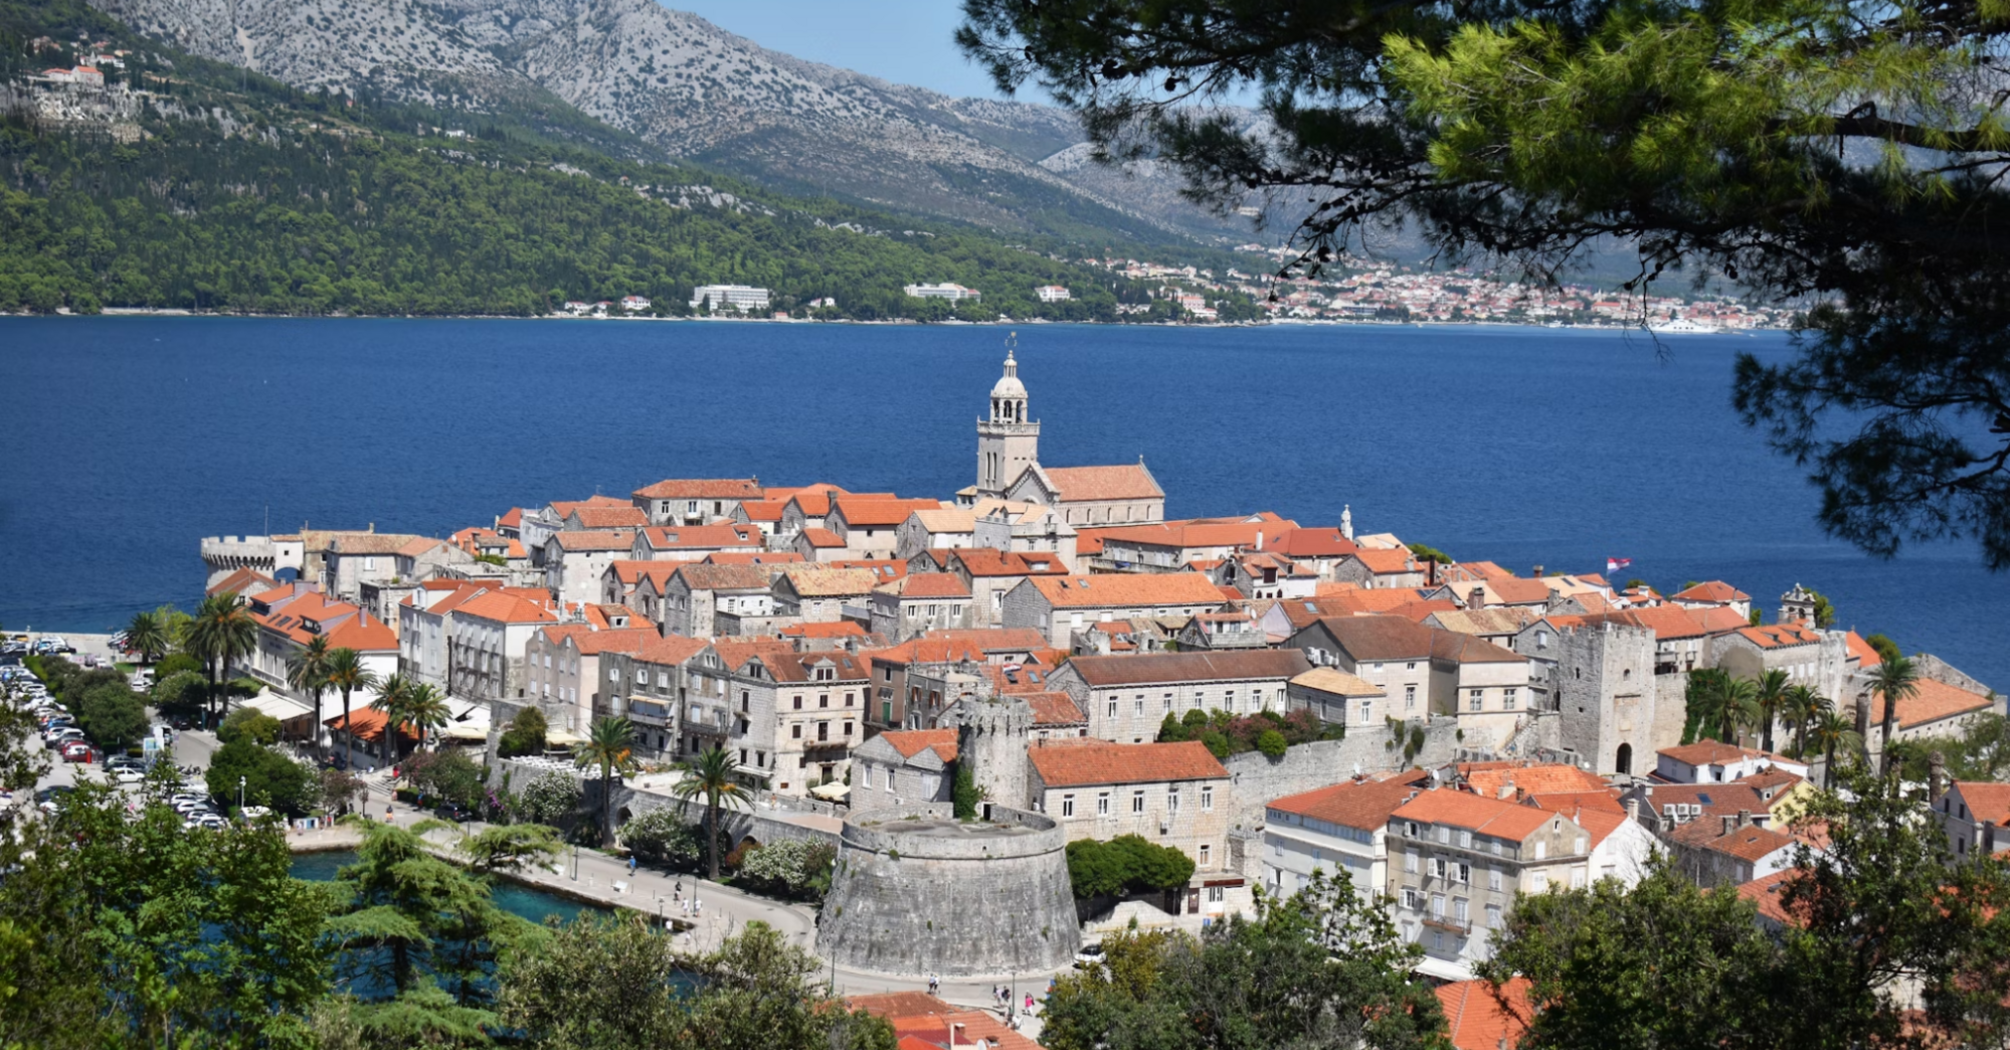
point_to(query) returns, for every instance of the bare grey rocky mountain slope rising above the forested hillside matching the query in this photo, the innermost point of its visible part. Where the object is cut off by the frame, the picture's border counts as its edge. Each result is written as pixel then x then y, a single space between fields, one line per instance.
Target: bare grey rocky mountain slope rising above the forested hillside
pixel 702 94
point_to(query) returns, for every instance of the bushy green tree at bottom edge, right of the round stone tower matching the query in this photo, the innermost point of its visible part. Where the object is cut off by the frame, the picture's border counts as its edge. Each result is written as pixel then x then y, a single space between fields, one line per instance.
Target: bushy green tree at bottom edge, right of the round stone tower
pixel 1320 969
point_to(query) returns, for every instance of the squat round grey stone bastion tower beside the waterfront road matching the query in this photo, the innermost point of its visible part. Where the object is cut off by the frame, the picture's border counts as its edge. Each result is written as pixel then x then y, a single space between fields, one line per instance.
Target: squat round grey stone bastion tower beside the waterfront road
pixel 920 894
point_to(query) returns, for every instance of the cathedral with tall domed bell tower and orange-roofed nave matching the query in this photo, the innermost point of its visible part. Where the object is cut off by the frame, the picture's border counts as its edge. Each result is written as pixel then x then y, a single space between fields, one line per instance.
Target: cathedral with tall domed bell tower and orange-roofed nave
pixel 1008 468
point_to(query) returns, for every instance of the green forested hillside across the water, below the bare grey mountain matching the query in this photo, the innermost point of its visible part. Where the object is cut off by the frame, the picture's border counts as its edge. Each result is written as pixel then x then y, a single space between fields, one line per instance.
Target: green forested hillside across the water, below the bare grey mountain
pixel 230 192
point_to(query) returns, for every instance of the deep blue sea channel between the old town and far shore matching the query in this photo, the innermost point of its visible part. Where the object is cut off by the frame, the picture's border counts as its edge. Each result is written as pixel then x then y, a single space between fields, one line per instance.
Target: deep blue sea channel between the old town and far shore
pixel 124 442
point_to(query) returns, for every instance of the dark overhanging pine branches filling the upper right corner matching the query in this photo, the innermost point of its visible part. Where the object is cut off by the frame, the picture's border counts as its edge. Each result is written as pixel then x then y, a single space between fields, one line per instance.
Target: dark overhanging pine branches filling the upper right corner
pixel 1812 152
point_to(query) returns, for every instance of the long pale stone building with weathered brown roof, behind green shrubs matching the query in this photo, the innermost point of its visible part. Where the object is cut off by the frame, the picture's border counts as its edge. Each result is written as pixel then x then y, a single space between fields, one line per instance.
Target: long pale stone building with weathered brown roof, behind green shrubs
pixel 1129 697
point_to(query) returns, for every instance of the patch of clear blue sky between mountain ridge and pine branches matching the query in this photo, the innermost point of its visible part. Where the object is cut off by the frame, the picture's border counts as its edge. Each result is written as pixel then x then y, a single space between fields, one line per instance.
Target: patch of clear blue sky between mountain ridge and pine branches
pixel 903 41
